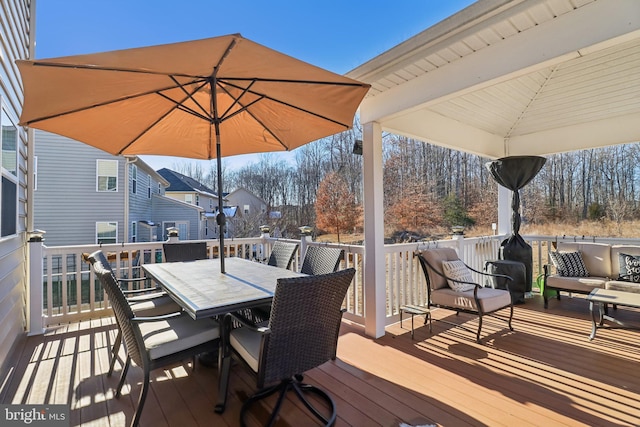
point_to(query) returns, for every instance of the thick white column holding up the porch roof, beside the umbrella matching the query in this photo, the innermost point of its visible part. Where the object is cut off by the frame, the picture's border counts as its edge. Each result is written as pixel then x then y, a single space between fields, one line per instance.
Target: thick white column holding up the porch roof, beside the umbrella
pixel 374 258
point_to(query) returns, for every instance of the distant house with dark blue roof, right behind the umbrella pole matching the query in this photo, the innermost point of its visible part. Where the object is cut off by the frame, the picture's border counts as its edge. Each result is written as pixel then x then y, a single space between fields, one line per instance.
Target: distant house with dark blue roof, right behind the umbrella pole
pixel 189 190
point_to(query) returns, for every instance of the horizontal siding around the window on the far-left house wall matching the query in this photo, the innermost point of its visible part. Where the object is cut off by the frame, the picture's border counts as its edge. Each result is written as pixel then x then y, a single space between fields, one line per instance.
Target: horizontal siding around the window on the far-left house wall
pixel 15 43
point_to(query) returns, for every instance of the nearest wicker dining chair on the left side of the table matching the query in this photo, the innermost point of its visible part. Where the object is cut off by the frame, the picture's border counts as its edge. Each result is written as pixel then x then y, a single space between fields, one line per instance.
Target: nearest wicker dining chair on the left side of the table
pixel 156 341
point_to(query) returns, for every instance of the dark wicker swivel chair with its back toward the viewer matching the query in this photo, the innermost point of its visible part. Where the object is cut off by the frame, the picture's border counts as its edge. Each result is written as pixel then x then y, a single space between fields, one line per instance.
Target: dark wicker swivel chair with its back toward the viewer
pixel 280 354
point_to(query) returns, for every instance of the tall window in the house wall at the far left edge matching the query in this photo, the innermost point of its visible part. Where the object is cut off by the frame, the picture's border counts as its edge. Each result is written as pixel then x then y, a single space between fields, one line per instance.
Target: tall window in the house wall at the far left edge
pixel 9 186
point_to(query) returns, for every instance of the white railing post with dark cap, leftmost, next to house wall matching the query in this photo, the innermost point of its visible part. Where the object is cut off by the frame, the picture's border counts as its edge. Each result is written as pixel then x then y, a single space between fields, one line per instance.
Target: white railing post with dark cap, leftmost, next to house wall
pixel 35 318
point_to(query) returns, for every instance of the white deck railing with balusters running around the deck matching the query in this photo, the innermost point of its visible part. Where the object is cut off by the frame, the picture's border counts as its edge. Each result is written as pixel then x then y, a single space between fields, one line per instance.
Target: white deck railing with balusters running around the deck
pixel 70 292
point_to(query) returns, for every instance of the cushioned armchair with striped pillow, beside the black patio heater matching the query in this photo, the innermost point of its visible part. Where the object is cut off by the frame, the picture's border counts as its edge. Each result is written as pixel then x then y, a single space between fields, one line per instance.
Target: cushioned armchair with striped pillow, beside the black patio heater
pixel 456 289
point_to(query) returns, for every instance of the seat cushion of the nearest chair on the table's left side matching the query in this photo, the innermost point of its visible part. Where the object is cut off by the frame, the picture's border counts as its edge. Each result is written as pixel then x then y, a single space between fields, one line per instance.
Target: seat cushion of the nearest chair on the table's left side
pixel 162 338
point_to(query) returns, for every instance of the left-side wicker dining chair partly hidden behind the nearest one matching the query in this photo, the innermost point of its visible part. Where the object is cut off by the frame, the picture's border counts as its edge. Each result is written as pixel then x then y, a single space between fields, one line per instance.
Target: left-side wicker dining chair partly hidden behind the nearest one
pixel 144 302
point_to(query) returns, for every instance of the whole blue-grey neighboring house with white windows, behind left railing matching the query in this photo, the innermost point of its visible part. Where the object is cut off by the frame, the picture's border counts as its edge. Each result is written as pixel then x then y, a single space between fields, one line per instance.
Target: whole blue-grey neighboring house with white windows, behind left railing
pixel 84 195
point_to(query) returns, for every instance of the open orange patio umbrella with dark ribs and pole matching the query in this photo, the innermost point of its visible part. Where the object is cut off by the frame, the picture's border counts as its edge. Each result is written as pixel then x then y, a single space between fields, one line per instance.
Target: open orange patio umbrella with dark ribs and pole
pixel 199 99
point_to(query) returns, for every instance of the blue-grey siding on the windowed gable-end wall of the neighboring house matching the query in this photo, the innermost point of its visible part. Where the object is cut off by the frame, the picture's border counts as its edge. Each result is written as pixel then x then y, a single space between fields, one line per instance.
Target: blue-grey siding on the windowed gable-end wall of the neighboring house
pixel 68 167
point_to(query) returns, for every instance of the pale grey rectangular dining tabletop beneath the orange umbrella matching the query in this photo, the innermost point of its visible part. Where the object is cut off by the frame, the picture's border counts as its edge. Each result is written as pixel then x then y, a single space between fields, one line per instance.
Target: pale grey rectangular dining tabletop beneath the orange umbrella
pixel 203 291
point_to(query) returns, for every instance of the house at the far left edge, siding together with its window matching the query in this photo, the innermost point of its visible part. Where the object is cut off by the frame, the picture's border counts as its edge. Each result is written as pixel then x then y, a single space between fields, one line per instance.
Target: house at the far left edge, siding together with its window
pixel 16 20
